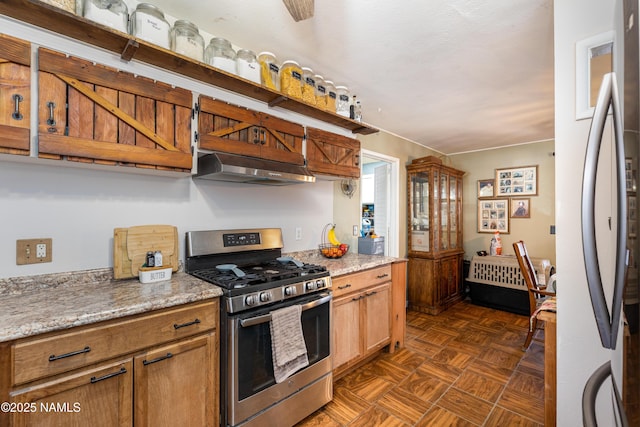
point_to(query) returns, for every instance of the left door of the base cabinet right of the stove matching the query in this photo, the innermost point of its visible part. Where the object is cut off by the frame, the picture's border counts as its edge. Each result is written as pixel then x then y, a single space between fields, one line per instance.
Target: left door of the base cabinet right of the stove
pixel 347 329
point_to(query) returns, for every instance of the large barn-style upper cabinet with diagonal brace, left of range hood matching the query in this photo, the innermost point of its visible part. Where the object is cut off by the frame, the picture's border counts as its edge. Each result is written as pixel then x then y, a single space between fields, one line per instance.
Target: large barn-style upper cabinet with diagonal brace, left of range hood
pixel 92 113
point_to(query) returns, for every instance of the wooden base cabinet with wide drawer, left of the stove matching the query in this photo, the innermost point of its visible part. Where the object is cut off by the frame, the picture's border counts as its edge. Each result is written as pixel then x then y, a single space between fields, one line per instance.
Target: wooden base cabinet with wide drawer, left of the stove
pixel 161 365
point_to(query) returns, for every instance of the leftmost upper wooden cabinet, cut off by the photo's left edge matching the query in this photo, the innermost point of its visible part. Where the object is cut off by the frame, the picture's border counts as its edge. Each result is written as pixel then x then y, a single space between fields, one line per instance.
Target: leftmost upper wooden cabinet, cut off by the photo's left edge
pixel 15 95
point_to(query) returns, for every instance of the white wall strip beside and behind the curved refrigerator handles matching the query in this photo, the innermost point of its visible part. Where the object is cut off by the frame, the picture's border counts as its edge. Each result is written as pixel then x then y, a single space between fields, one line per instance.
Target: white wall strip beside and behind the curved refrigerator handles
pixel 579 349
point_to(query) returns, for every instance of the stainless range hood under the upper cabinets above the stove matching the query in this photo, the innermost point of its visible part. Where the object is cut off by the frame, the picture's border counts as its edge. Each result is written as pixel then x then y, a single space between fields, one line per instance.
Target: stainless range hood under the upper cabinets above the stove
pixel 234 168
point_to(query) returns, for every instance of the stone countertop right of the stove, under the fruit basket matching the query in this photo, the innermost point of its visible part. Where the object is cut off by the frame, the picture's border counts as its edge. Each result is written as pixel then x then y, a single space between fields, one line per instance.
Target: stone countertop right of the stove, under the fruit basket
pixel 350 263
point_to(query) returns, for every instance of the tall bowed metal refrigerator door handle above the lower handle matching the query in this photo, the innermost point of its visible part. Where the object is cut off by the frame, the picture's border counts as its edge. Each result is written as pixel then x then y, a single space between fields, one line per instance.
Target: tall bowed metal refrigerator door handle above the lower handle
pixel 608 325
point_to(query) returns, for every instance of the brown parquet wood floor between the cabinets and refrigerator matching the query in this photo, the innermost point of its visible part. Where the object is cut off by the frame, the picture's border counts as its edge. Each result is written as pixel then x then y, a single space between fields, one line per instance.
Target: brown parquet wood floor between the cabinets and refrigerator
pixel 463 367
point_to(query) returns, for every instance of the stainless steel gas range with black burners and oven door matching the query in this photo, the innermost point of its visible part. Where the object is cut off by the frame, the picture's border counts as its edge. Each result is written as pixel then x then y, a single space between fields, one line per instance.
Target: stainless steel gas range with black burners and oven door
pixel 256 280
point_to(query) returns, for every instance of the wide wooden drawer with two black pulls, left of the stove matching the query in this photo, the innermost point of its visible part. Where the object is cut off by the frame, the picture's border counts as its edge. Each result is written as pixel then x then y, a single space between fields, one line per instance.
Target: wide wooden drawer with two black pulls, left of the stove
pixel 60 352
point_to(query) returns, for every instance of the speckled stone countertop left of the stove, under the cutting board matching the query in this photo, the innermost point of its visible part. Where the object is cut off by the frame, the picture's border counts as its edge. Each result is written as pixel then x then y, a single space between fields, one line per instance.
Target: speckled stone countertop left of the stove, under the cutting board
pixel 33 305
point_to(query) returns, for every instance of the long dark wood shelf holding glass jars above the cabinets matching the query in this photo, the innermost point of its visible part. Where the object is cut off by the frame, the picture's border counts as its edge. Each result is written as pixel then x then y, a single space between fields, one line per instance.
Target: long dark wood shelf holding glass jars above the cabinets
pixel 57 20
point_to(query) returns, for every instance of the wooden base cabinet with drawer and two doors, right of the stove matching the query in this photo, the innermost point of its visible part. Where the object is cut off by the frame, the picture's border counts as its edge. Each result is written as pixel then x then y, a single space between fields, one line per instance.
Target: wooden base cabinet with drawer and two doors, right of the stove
pixel 362 316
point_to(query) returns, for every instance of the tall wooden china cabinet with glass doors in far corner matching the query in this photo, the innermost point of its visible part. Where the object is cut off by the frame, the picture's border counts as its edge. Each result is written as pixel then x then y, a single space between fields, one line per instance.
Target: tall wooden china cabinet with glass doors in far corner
pixel 435 235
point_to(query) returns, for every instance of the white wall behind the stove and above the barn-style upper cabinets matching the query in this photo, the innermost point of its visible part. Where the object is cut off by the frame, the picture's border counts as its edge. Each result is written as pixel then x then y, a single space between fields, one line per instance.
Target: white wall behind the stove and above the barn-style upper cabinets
pixel 79 208
